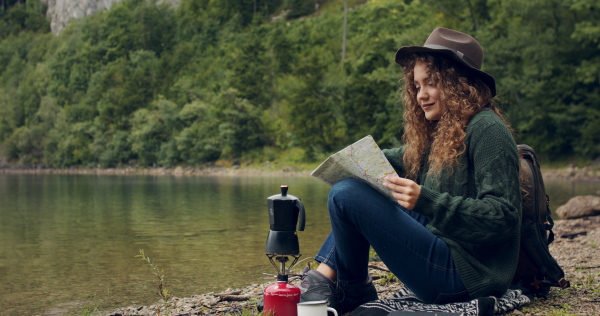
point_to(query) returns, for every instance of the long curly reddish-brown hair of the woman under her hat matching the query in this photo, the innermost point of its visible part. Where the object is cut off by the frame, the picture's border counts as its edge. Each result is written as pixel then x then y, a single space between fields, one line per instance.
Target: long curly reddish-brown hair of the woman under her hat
pixel 463 94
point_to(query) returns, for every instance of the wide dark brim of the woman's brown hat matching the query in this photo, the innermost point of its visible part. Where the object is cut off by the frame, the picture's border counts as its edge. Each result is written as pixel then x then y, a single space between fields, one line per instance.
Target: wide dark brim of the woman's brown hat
pixel 404 53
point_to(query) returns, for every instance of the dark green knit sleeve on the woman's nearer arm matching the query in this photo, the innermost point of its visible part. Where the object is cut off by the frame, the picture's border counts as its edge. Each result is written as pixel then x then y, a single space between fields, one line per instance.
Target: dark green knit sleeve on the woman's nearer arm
pixel 492 212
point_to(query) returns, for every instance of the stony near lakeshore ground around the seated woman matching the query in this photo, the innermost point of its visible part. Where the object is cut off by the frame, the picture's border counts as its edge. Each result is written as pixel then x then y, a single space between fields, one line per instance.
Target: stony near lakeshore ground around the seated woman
pixel 575 248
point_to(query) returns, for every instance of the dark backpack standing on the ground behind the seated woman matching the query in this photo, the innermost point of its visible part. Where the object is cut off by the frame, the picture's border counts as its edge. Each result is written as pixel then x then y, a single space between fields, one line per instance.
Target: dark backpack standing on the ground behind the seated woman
pixel 537 271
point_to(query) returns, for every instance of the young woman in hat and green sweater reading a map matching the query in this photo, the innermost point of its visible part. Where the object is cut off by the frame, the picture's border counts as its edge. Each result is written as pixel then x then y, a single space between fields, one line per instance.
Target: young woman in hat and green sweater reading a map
pixel 453 232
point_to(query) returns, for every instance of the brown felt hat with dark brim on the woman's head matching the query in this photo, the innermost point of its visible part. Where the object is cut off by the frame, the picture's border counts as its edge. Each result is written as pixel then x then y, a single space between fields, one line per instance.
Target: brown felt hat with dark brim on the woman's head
pixel 457 46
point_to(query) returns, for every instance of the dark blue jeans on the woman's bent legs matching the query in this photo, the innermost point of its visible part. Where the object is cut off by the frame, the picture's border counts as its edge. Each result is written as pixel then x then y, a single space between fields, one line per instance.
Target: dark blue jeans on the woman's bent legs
pixel 362 217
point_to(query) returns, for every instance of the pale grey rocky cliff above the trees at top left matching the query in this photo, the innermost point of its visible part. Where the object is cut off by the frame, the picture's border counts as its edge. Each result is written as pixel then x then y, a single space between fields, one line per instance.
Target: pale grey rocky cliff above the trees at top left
pixel 61 12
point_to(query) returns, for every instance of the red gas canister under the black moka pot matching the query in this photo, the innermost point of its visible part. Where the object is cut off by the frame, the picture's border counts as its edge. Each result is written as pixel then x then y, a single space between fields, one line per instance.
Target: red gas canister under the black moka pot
pixel 280 298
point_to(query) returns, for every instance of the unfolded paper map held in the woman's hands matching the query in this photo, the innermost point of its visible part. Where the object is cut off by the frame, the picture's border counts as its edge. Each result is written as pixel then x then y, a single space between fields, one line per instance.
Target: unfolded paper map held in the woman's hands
pixel 362 160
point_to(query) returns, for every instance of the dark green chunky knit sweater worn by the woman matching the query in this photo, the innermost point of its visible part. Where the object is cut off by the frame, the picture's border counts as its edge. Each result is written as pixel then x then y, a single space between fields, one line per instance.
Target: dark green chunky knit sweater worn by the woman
pixel 476 210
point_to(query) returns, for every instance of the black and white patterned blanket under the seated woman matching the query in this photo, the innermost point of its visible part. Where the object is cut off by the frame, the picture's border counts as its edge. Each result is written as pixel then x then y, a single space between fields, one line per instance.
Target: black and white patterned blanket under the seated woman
pixel 405 300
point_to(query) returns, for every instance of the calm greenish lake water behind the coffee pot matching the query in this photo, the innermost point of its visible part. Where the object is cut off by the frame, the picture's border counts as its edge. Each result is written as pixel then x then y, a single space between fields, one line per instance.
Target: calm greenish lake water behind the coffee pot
pixel 70 240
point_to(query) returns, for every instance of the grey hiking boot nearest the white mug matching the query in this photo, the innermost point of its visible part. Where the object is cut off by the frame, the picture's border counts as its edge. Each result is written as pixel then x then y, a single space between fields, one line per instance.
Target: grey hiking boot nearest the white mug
pixel 317 287
